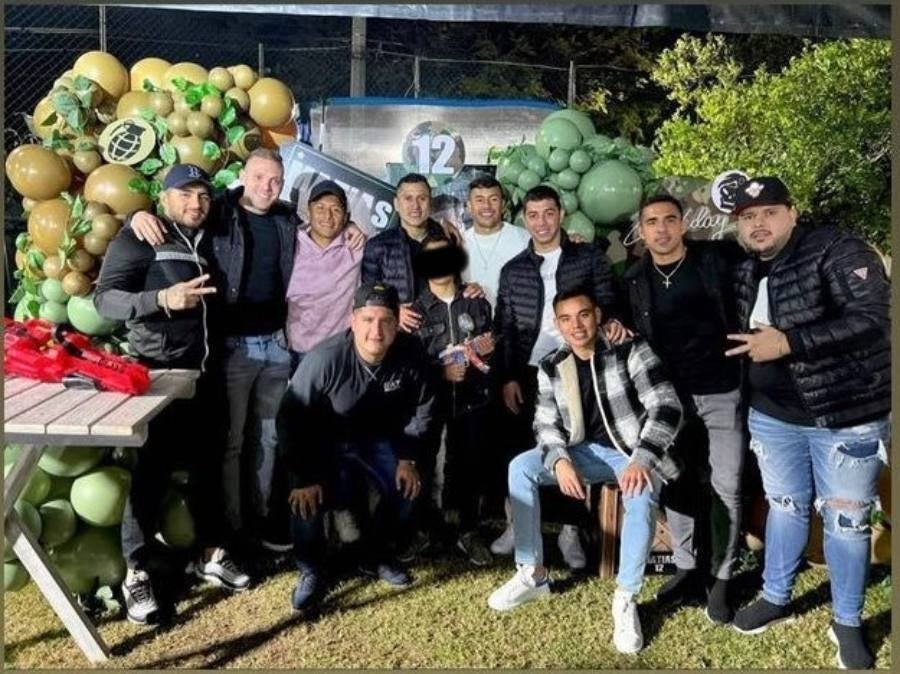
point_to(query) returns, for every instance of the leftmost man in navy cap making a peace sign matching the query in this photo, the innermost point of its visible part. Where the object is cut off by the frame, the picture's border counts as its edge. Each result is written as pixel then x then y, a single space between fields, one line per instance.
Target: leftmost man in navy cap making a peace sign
pixel 168 327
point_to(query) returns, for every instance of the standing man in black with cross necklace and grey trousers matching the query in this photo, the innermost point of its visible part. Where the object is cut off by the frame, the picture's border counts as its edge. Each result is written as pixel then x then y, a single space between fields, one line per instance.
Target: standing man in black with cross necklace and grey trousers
pixel 682 302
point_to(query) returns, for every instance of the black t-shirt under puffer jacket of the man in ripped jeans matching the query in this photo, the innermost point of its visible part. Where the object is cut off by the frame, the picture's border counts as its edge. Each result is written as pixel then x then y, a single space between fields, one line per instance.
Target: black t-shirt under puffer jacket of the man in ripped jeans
pixel 772 388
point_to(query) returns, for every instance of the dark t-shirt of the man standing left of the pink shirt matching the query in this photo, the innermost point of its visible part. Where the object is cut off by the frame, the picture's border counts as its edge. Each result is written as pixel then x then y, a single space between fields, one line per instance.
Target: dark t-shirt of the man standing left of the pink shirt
pixel 260 309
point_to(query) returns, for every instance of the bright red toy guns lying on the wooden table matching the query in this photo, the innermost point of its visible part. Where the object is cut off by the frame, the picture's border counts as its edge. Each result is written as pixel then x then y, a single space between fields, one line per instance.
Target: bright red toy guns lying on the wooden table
pixel 37 350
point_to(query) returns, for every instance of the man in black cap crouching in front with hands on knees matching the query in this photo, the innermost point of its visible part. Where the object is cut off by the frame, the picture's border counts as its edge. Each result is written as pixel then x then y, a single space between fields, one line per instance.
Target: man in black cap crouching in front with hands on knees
pixel 358 406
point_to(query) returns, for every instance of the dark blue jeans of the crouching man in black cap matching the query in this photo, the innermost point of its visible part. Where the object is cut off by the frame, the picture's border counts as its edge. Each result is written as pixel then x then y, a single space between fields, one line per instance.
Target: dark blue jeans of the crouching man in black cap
pixel 347 489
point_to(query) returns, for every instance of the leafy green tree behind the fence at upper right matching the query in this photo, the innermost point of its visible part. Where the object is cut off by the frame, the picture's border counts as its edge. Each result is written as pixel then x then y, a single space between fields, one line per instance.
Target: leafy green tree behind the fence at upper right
pixel 823 124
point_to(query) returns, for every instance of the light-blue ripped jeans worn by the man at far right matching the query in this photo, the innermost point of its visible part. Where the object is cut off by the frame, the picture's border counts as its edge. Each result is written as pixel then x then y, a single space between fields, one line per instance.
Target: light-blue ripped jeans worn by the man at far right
pixel 840 467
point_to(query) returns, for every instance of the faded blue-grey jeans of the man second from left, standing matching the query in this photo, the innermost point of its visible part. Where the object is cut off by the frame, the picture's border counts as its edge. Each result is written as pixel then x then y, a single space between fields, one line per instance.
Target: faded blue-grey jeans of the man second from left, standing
pixel 257 369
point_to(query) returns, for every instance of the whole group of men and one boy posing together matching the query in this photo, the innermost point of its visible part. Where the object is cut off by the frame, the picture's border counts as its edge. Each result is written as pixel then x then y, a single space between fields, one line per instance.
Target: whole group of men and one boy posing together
pixel 331 368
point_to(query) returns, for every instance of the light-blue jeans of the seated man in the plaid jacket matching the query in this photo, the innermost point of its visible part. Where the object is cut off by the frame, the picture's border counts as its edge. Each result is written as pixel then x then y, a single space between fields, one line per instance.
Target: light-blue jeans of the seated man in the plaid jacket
pixel 594 463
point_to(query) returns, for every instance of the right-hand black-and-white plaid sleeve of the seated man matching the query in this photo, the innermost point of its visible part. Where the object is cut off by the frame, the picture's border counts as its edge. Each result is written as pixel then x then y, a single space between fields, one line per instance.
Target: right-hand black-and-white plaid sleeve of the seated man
pixel 658 397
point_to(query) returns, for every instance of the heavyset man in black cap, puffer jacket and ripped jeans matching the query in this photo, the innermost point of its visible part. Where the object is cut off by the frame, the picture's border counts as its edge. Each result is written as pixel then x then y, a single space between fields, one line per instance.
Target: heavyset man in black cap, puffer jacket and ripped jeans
pixel 813 305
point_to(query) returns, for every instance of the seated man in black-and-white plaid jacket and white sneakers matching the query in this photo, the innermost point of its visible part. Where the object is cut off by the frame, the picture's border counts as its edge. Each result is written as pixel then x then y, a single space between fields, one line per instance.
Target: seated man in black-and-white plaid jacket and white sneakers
pixel 604 414
